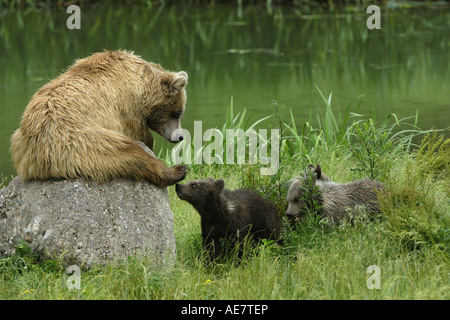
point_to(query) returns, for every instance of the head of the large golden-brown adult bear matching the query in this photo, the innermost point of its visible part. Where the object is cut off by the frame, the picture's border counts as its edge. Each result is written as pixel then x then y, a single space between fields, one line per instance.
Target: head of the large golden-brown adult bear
pixel 164 101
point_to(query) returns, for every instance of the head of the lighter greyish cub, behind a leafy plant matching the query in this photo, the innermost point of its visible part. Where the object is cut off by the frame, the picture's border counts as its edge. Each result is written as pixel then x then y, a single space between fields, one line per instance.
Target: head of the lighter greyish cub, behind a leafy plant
pixel 304 193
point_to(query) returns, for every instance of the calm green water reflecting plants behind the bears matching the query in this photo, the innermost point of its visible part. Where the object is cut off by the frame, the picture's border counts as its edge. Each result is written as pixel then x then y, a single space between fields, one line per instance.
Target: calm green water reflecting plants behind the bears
pixel 253 54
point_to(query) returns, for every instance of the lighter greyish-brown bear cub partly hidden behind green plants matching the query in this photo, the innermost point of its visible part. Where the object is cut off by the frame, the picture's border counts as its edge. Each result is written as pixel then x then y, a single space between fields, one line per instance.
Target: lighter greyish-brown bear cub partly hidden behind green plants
pixel 335 200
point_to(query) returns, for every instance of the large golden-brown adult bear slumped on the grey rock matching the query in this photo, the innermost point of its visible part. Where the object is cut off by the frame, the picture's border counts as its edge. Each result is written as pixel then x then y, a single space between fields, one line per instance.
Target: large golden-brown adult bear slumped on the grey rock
pixel 83 123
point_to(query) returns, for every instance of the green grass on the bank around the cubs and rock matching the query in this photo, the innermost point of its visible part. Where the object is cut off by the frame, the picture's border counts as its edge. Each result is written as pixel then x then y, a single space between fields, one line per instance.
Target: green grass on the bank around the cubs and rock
pixel 409 243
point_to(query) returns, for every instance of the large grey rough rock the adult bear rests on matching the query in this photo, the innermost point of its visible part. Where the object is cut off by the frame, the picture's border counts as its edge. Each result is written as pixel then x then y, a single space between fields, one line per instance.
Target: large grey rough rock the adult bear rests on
pixel 86 222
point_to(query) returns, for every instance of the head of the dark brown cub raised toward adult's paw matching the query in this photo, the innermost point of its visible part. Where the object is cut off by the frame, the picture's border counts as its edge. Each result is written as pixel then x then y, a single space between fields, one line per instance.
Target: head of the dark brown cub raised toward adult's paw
pixel 197 192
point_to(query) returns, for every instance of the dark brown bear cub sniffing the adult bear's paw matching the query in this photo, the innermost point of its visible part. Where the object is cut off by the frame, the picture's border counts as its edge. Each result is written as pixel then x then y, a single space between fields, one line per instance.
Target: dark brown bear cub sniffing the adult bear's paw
pixel 230 215
